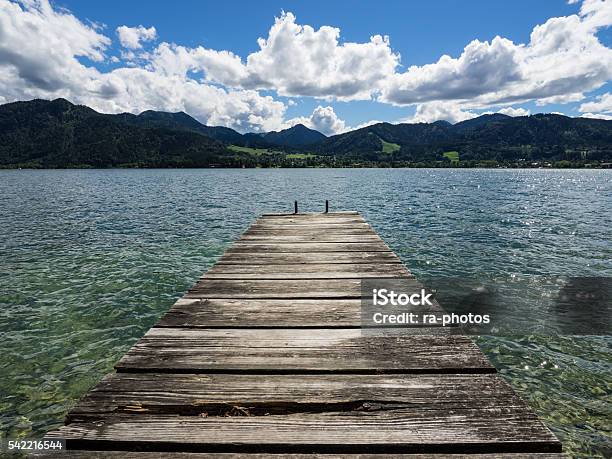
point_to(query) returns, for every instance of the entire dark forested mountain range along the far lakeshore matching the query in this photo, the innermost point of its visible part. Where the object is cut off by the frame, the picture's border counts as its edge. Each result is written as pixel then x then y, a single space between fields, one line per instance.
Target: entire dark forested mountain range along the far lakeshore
pixel 50 134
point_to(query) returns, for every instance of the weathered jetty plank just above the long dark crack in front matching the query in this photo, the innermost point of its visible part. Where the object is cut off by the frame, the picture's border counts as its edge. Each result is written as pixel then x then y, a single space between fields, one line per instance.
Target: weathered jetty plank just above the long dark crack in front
pixel 220 394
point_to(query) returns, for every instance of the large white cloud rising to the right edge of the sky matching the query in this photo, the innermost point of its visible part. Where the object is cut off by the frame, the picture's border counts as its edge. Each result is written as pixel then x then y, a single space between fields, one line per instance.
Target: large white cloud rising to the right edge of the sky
pixel 563 59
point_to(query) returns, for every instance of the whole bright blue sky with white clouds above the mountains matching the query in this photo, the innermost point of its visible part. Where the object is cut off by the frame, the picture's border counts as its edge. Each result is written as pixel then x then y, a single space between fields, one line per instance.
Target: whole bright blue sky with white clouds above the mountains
pixel 173 56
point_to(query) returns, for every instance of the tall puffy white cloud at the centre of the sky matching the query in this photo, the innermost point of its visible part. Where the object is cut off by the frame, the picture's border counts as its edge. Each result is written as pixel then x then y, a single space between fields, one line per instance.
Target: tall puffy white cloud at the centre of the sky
pixel 299 60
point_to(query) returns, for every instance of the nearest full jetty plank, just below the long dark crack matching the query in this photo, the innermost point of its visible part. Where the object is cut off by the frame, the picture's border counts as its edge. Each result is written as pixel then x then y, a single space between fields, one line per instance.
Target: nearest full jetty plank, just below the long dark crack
pixel 401 430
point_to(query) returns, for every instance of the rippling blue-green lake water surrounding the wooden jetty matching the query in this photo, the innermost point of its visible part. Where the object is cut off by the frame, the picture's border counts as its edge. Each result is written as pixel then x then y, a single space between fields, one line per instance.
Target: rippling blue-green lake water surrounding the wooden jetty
pixel 90 259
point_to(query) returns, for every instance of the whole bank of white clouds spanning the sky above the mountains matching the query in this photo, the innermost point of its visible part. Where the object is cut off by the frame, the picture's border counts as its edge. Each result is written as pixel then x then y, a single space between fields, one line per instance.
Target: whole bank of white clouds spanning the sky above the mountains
pixel 47 52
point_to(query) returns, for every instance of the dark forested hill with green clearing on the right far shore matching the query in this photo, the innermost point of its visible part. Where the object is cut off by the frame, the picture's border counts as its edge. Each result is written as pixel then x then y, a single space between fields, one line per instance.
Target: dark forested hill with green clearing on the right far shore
pixel 488 137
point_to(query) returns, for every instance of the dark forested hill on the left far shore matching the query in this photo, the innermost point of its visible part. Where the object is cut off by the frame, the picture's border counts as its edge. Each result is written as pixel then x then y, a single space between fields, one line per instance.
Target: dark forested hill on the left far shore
pixel 59 134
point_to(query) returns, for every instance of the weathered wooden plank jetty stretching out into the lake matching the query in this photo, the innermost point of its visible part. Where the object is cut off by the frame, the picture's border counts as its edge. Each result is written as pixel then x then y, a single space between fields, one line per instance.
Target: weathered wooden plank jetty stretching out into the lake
pixel 264 355
